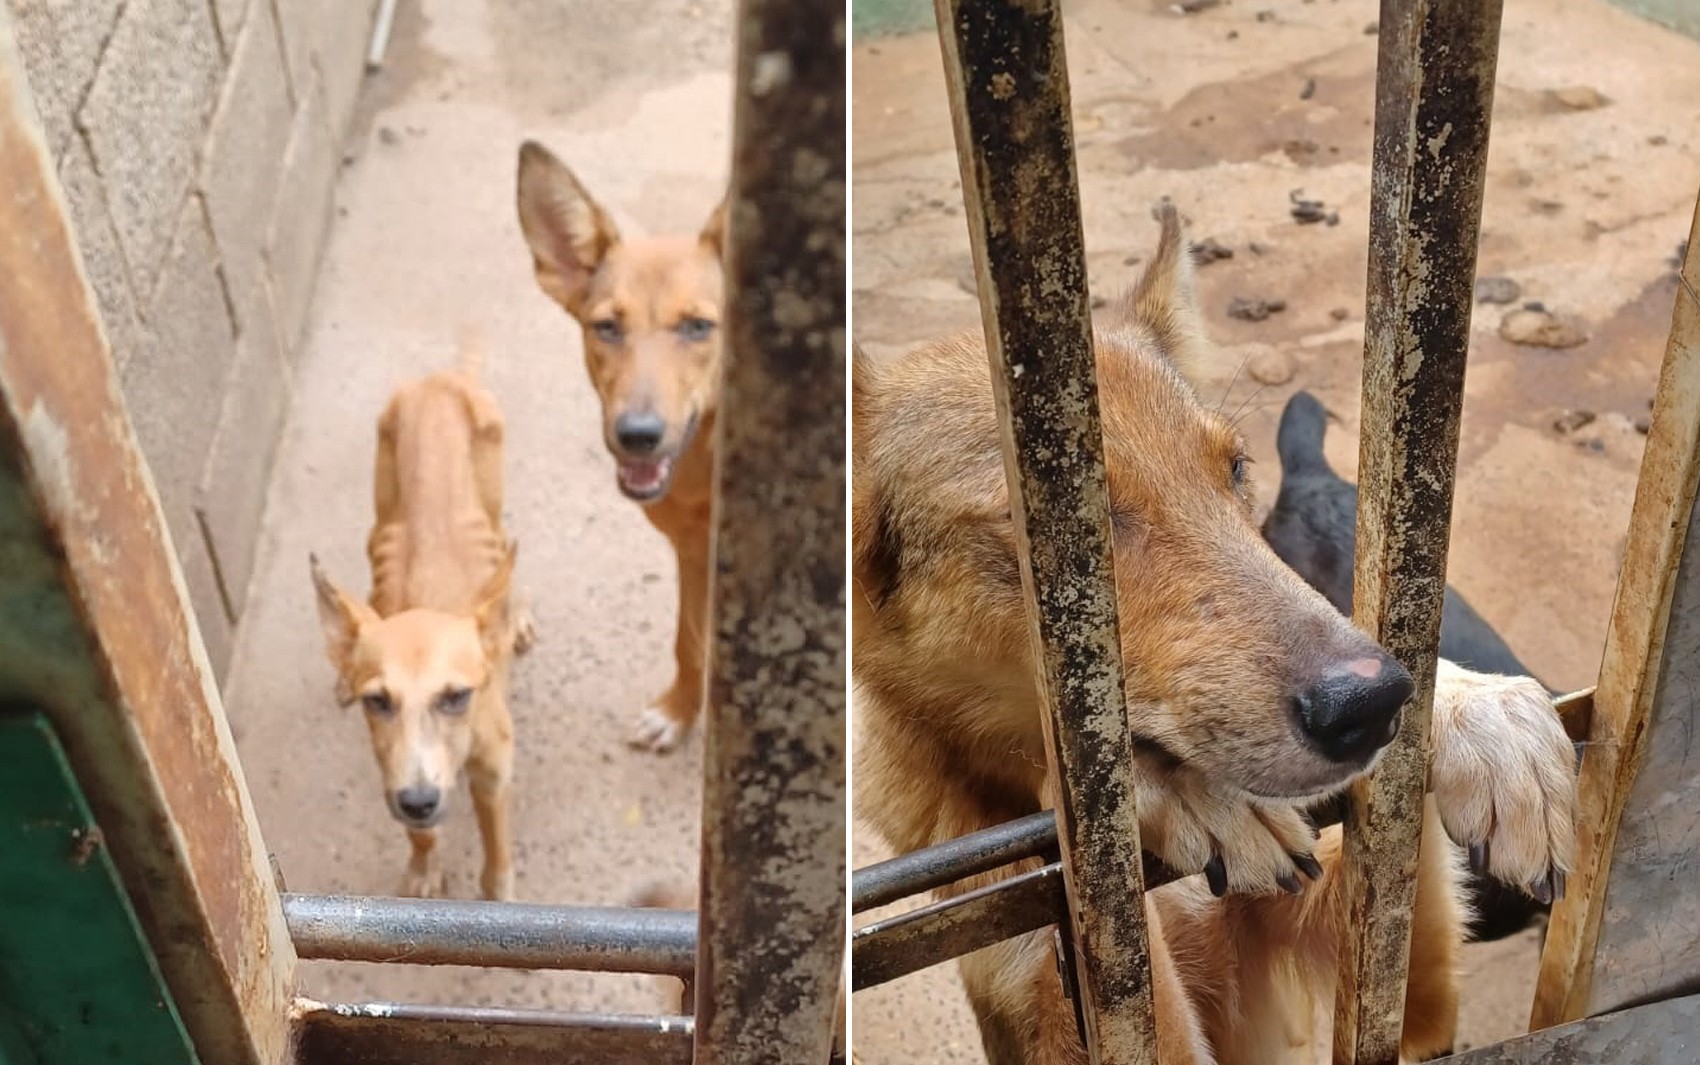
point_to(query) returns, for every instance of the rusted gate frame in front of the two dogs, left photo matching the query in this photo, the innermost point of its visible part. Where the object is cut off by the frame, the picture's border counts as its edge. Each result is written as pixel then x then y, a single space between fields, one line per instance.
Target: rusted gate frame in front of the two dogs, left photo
pixel 101 659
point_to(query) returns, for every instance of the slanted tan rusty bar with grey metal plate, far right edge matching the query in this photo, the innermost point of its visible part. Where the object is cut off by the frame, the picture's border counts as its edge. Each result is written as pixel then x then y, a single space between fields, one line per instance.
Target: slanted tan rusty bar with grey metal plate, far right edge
pixel 1601 957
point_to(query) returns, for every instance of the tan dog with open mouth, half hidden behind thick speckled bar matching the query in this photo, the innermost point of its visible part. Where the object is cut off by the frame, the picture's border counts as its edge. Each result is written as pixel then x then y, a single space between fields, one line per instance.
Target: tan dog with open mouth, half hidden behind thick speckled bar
pixel 650 312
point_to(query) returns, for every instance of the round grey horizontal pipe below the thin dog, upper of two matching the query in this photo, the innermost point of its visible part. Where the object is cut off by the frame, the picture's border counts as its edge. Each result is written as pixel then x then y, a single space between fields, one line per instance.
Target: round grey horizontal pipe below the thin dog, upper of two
pixel 501 935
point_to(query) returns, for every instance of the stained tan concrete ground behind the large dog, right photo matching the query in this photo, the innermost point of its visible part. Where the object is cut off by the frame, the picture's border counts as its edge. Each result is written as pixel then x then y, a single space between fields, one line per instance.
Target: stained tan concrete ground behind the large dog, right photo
pixel 1233 110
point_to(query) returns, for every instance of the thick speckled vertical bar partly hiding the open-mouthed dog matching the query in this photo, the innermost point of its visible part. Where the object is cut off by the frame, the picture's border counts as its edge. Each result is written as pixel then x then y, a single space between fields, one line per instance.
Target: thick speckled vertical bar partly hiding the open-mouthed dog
pixel 771 948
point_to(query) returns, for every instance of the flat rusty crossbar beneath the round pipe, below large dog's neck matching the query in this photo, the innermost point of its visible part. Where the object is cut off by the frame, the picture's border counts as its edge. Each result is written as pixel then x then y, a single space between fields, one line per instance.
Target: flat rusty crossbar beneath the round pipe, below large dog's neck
pixel 956 926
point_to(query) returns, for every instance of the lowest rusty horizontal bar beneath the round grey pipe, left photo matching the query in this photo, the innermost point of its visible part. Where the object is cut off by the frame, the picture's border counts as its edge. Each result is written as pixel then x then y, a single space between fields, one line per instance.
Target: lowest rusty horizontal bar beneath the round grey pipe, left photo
pixel 387 1034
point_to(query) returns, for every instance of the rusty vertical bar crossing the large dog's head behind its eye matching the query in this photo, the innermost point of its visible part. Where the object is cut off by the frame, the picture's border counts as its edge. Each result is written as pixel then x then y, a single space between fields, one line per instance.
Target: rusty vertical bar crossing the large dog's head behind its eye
pixel 1009 96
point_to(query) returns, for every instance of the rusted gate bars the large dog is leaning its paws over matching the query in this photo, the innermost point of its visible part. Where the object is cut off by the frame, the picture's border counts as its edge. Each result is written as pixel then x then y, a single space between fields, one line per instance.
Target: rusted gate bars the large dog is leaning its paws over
pixel 1436 72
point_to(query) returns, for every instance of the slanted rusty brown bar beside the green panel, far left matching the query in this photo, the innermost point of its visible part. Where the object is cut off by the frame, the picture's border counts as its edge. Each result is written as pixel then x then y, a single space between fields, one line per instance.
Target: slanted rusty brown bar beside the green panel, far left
pixel 96 629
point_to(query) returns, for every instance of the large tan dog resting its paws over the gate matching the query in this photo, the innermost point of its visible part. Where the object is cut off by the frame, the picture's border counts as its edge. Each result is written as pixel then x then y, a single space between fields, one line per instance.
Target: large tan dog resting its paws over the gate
pixel 1249 698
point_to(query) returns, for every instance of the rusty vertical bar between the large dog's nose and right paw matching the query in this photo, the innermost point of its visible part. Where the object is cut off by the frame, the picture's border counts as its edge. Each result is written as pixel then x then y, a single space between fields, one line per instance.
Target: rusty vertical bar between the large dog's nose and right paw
pixel 1434 101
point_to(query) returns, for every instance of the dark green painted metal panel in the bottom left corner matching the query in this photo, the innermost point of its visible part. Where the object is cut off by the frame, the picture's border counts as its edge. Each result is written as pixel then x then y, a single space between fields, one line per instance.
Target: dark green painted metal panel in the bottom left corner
pixel 79 984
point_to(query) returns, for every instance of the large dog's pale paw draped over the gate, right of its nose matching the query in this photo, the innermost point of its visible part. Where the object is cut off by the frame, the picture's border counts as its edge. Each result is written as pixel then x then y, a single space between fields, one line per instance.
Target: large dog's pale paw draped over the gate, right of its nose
pixel 1505 778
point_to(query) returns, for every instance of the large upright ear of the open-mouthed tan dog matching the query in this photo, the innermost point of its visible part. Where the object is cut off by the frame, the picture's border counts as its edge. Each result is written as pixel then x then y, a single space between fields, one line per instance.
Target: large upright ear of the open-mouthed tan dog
pixel 567 231
